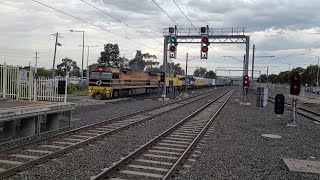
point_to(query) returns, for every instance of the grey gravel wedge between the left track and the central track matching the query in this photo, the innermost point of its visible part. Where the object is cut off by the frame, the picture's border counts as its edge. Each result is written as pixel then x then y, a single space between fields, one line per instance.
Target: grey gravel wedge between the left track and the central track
pixel 89 160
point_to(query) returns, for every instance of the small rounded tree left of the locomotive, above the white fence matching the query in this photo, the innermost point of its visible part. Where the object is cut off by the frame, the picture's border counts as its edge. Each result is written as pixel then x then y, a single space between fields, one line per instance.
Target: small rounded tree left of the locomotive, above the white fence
pixel 70 65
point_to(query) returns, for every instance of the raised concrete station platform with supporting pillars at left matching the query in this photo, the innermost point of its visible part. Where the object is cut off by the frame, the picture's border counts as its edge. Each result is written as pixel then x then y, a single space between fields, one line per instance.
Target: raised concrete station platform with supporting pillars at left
pixel 24 118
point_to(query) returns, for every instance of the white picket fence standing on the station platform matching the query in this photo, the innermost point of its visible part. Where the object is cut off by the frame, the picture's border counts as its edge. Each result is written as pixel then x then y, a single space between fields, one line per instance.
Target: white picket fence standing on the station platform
pixel 18 83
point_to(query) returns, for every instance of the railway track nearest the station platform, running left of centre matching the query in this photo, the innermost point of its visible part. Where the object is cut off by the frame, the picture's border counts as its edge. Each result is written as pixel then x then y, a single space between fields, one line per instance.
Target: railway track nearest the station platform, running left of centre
pixel 21 158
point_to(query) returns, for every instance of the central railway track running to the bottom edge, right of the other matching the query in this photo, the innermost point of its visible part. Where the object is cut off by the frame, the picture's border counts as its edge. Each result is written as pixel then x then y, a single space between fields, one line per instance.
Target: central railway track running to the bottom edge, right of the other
pixel 161 157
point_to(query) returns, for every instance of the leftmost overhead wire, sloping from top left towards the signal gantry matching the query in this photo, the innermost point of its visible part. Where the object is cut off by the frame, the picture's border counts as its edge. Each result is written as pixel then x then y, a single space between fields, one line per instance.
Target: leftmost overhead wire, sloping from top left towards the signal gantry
pixel 93 24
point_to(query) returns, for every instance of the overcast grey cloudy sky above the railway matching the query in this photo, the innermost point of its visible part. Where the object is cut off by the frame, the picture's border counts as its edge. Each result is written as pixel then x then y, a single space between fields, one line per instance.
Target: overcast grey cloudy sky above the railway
pixel 286 29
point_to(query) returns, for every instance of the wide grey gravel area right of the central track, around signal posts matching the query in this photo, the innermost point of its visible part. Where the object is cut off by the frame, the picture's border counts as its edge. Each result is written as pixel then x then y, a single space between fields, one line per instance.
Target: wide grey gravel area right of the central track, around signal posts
pixel 236 149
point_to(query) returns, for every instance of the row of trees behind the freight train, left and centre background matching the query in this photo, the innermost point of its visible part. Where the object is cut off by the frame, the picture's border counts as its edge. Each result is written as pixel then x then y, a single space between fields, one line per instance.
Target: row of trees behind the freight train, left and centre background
pixel 110 56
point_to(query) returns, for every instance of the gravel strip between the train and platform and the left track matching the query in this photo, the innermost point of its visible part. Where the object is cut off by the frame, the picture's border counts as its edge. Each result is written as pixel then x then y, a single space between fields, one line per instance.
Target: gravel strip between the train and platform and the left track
pixel 89 111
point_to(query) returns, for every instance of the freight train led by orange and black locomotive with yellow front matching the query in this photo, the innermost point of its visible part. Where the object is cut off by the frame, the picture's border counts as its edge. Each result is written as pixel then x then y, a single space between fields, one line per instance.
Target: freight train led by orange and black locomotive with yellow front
pixel 111 82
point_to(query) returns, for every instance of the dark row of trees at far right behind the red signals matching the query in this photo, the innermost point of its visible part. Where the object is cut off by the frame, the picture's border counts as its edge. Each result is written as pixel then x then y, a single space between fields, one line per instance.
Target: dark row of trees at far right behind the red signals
pixel 308 76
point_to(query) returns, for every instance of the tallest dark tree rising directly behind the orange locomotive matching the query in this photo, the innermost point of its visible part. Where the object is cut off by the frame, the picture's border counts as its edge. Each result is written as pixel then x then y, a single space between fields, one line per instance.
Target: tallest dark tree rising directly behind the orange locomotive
pixel 110 56
